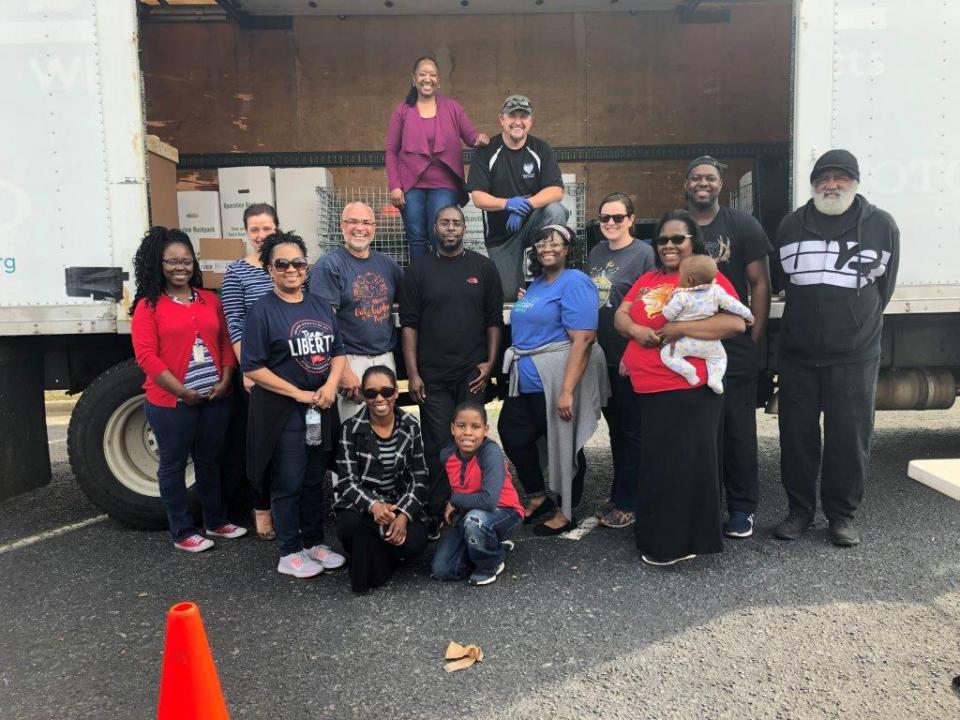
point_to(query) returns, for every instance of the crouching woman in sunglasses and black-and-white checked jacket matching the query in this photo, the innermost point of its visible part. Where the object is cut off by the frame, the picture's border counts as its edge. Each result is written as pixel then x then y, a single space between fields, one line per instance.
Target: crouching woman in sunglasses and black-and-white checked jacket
pixel 382 484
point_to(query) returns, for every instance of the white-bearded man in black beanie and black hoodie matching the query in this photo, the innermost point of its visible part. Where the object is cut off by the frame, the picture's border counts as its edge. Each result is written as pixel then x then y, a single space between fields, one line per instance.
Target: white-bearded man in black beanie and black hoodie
pixel 840 256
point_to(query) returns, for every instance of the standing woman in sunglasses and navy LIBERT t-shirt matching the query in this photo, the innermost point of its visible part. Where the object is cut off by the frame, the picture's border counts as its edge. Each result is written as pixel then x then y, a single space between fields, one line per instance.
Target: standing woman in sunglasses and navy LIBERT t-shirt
pixel 293 353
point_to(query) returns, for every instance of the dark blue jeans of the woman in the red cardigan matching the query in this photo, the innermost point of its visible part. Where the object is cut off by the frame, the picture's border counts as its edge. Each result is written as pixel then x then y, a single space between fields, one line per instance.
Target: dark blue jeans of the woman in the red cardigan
pixel 197 431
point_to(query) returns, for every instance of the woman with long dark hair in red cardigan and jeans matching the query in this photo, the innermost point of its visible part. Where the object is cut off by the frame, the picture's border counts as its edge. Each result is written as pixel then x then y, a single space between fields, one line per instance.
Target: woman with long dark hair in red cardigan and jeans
pixel 181 343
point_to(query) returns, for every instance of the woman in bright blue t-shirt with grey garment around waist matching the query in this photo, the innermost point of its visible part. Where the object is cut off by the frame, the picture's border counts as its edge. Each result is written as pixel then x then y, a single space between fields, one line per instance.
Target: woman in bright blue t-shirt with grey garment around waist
pixel 558 381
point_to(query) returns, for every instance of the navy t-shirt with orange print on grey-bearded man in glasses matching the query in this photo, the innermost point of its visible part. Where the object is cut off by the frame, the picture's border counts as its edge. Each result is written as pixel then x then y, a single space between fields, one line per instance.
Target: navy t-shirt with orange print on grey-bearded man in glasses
pixel 362 291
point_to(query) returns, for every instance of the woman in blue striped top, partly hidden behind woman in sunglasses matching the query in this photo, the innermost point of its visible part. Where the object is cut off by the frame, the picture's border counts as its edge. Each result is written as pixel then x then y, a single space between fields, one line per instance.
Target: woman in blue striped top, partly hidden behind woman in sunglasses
pixel 244 282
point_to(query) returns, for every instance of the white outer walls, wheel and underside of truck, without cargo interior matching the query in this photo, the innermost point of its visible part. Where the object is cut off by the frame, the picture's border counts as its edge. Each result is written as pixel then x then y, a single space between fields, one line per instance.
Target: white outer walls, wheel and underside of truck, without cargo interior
pixel 875 77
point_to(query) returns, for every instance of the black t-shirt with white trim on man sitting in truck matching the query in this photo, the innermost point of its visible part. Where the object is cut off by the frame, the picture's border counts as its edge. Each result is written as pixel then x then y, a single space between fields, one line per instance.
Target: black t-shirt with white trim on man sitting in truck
pixel 506 173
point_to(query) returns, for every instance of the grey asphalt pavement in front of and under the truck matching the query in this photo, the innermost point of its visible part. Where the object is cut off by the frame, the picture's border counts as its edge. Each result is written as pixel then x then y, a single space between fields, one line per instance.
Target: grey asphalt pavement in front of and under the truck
pixel 572 629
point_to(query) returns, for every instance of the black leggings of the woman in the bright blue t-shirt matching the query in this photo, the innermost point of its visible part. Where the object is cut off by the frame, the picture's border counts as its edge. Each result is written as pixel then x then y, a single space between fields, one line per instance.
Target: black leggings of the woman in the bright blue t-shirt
pixel 523 421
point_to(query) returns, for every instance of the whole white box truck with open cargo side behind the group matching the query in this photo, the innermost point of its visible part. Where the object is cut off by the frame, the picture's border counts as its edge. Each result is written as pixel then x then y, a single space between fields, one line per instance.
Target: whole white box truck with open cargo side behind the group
pixel 627 93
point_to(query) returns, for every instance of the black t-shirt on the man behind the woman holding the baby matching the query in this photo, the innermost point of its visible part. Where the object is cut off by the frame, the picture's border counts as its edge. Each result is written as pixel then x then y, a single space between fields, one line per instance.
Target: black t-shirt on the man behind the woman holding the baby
pixel 735 239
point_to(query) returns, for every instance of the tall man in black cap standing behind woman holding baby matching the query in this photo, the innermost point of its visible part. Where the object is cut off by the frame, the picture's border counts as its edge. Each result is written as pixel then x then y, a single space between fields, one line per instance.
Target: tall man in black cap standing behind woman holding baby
pixel 740 246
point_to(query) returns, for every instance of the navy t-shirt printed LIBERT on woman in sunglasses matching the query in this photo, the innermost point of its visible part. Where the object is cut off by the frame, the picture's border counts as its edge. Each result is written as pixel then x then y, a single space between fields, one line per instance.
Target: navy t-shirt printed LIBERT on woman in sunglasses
pixel 294 340
